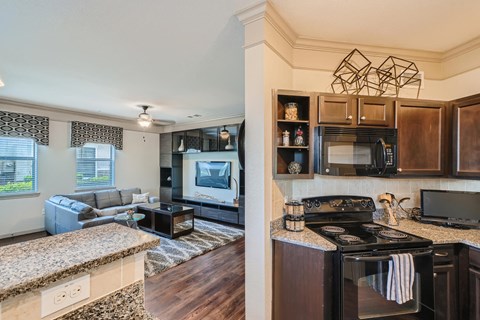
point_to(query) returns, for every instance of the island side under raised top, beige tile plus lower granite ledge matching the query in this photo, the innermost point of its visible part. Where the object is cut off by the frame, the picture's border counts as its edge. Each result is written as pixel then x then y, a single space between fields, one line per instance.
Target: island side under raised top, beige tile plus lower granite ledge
pixel 116 292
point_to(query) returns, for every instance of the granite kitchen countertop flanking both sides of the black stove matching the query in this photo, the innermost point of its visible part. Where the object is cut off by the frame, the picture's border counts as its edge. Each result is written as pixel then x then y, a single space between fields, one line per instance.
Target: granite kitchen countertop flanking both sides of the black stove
pixel 439 235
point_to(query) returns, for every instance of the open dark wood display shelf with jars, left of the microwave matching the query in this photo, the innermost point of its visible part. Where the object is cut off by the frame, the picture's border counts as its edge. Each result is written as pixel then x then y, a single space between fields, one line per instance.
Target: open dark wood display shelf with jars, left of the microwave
pixel 284 155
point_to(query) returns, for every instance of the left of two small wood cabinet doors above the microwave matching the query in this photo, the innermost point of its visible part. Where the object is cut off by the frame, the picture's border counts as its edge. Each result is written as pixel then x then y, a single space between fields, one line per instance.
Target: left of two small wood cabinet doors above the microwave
pixel 335 110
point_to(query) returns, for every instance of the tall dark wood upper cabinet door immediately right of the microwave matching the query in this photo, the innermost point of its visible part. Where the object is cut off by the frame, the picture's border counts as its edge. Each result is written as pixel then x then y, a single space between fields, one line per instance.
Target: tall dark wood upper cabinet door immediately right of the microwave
pixel 421 137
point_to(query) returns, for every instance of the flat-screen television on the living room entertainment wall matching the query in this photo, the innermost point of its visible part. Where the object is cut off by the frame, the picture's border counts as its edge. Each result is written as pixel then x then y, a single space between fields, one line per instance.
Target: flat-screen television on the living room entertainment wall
pixel 213 174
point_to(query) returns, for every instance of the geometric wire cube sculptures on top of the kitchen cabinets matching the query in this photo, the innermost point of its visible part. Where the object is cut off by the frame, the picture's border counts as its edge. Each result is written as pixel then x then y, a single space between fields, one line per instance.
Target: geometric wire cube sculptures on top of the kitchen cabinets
pixel 355 75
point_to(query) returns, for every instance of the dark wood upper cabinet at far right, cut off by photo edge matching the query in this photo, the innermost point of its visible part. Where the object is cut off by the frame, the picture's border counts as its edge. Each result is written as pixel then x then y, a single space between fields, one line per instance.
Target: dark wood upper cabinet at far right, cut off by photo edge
pixel 466 138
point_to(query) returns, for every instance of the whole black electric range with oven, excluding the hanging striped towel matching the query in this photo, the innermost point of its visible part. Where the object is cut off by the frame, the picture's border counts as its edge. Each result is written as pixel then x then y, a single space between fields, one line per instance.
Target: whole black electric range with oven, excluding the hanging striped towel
pixel 364 253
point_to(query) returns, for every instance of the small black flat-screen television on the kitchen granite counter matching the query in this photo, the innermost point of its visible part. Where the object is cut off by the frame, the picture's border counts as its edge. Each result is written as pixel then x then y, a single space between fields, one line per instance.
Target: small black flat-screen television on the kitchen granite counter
pixel 452 207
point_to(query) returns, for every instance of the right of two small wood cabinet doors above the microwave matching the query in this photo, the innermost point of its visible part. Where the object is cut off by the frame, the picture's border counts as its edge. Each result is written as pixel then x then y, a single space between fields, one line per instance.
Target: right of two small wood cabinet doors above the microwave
pixel 375 112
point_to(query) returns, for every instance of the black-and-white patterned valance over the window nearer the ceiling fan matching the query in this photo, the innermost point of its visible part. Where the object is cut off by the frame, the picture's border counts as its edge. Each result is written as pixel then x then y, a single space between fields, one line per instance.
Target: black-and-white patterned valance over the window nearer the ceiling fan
pixel 84 132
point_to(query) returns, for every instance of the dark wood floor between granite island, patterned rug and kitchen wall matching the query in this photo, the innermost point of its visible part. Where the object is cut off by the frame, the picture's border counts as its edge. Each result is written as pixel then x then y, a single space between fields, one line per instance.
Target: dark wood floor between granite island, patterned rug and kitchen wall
pixel 208 287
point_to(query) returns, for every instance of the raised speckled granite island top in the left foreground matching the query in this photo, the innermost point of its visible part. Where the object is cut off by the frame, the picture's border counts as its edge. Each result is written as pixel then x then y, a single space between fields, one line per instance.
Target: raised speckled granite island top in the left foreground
pixel 34 264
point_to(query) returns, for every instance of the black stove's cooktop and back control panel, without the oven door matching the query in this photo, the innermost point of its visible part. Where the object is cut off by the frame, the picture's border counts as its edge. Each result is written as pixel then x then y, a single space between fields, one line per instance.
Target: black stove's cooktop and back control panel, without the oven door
pixel 347 222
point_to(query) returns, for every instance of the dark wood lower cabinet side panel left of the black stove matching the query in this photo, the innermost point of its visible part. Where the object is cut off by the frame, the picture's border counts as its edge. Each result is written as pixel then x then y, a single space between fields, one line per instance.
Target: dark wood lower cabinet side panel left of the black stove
pixel 302 282
